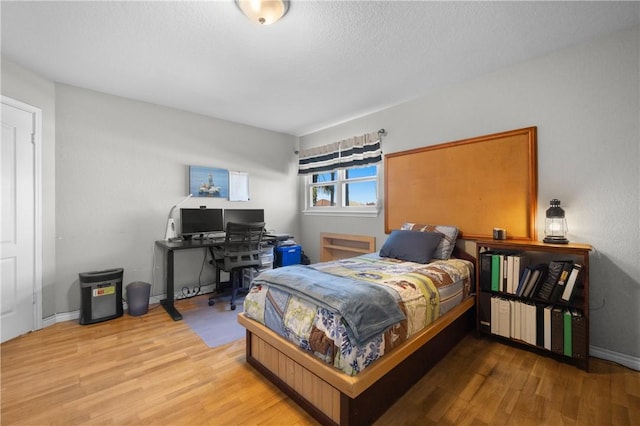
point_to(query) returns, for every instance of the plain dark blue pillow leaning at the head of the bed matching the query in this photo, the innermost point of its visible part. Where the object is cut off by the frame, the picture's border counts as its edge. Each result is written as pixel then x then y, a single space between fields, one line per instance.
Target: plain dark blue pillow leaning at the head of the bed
pixel 412 246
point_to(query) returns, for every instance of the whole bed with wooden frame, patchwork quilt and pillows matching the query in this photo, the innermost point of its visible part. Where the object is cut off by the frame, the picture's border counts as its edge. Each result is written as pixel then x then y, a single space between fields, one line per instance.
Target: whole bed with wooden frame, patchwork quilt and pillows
pixel 349 371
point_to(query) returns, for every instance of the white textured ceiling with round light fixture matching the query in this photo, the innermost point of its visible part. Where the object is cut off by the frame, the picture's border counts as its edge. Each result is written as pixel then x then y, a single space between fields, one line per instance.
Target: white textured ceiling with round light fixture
pixel 324 63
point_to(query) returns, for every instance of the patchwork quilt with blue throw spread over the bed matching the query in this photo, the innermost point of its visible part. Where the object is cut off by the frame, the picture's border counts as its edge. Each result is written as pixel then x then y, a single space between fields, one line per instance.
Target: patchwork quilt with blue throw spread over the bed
pixel 313 307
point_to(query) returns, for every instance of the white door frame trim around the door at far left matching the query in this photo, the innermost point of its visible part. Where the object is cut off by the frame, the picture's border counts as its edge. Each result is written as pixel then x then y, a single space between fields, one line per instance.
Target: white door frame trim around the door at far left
pixel 36 113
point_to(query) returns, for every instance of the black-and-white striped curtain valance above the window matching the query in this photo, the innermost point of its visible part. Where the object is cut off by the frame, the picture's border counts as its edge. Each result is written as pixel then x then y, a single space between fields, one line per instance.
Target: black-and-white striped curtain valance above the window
pixel 352 152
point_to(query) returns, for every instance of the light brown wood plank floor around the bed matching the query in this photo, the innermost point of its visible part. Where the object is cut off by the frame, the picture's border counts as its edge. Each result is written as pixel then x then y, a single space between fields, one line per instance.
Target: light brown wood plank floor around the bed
pixel 151 370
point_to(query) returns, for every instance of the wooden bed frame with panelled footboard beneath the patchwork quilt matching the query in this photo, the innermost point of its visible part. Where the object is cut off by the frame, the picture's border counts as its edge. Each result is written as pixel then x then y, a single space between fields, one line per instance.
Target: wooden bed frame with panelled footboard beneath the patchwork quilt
pixel 331 396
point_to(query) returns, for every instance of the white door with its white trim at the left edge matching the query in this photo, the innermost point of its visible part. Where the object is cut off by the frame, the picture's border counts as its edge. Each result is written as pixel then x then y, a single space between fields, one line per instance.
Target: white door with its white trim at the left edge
pixel 19 269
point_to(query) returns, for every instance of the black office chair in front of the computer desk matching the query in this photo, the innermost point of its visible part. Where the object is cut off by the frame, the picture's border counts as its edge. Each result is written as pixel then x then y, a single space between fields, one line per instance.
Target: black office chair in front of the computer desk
pixel 241 249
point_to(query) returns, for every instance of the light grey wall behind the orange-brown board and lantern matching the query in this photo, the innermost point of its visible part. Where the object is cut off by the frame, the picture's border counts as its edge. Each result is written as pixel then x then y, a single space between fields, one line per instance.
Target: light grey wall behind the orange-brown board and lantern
pixel 584 101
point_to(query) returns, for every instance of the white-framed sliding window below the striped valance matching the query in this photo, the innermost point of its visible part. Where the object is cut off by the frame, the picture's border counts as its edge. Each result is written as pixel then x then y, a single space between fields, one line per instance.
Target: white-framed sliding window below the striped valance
pixel 352 191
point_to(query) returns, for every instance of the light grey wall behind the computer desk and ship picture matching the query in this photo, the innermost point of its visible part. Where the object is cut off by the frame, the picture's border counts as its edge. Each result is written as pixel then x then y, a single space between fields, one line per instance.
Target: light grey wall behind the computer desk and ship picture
pixel 122 164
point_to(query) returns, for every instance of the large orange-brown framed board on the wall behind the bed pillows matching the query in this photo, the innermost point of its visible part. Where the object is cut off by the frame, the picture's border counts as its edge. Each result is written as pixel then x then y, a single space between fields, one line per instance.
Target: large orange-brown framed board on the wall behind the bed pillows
pixel 475 184
